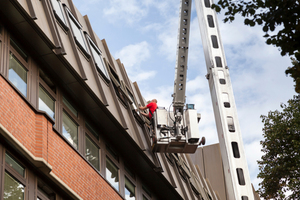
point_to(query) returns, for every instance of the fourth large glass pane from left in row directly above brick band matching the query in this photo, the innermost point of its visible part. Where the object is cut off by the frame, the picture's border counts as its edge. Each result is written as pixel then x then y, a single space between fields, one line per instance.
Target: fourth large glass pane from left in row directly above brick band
pixel 92 153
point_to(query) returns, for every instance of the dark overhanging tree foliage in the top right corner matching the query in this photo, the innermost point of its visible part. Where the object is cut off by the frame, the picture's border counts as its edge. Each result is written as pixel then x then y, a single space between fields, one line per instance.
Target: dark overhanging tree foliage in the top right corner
pixel 279 20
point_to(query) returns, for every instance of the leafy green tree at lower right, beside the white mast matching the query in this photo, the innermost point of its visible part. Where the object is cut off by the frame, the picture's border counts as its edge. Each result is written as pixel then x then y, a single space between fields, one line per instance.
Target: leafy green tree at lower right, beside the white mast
pixel 280 164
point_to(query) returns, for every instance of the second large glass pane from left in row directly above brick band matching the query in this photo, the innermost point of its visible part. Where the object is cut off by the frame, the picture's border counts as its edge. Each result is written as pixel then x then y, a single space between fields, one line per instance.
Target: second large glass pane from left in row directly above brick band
pixel 46 103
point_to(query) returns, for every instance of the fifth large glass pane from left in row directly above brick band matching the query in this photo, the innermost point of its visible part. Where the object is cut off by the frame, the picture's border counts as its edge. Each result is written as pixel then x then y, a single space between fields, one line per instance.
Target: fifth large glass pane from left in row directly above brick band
pixel 112 174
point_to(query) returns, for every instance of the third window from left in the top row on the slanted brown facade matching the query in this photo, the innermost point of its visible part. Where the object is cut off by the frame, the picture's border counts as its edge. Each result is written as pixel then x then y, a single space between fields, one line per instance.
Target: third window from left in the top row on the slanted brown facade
pixel 98 59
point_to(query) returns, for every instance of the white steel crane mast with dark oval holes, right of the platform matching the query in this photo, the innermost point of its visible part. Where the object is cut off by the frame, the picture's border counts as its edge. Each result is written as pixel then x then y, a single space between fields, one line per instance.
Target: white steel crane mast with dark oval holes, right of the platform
pixel 236 172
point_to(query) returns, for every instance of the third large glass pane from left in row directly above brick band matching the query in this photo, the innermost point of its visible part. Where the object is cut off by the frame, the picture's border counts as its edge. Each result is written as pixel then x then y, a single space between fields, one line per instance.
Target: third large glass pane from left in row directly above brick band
pixel 70 130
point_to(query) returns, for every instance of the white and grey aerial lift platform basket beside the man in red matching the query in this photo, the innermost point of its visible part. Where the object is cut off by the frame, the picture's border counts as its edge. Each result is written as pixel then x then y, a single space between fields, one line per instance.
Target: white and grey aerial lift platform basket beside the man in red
pixel 167 137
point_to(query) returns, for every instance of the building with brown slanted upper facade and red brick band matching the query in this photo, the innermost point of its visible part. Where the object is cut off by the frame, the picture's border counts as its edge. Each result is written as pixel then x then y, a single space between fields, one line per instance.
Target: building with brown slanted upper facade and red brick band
pixel 68 125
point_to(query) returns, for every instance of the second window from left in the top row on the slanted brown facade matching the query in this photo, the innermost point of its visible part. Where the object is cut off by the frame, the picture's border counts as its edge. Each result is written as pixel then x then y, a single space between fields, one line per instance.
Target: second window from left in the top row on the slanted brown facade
pixel 77 33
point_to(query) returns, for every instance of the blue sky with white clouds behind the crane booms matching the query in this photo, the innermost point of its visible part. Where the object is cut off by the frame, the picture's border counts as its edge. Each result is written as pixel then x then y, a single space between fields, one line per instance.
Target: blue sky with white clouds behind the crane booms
pixel 143 35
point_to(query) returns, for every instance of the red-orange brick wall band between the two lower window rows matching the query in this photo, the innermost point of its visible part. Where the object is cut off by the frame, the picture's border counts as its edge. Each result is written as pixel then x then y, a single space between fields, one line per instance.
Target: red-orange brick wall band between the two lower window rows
pixel 35 132
